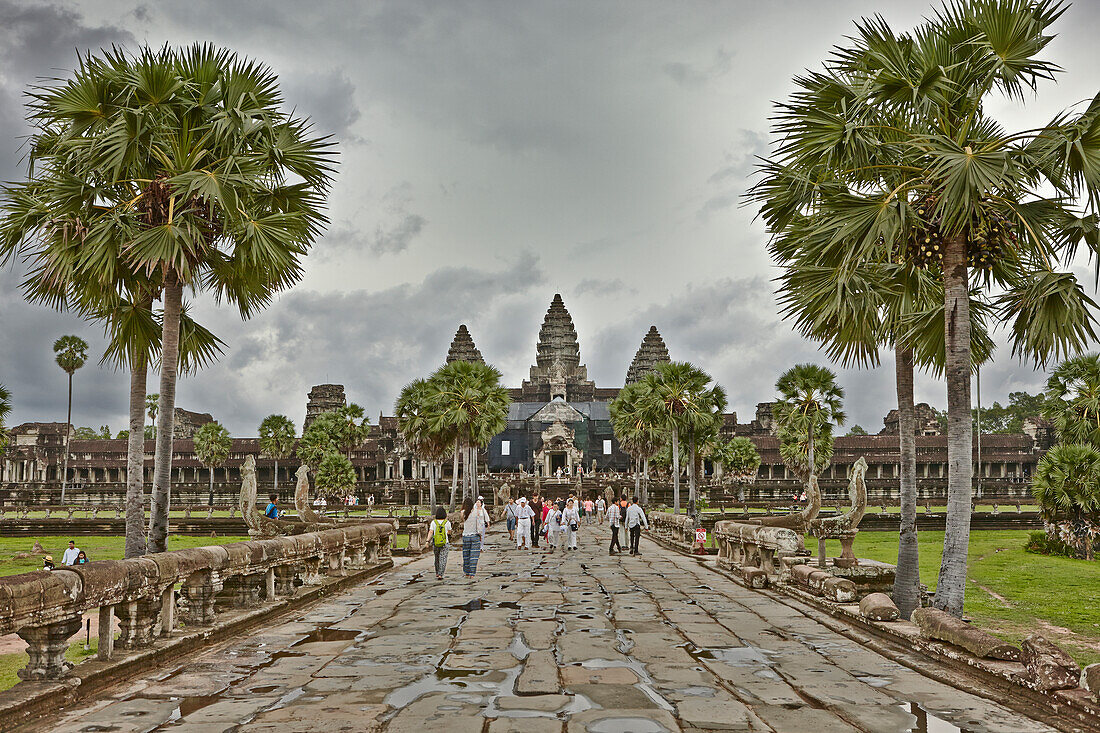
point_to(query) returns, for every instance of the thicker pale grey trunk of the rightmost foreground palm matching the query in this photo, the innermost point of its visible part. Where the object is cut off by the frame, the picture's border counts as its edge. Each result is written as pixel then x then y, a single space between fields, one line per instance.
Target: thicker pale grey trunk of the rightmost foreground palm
pixel 951 587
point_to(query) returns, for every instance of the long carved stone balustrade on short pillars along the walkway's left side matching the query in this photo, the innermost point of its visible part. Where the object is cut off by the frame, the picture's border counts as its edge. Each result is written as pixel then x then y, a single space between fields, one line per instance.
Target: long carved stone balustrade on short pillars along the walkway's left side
pixel 46 608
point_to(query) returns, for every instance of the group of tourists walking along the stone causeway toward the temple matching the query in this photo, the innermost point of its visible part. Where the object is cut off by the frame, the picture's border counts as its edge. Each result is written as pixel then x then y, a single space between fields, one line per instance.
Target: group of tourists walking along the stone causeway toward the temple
pixel 558 523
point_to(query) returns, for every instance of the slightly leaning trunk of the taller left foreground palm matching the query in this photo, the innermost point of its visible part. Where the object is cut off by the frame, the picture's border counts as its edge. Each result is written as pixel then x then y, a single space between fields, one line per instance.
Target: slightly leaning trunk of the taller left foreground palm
pixel 167 413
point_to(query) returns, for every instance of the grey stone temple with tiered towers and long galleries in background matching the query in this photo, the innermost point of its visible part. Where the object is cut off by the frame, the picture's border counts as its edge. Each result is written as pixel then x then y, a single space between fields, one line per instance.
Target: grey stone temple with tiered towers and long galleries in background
pixel 558 423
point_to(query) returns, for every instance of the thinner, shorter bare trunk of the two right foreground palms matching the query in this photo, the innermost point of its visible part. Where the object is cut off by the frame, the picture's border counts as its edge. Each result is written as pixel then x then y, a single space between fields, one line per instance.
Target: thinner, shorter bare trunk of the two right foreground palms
pixel 908 577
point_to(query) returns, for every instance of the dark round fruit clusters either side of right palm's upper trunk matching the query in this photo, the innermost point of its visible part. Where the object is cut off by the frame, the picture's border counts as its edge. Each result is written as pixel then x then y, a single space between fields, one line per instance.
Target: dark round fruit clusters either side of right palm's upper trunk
pixel 991 237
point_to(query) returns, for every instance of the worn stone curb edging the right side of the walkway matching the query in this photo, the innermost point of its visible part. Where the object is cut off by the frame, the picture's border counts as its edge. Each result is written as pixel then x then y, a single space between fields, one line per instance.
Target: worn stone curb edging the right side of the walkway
pixel 1074 712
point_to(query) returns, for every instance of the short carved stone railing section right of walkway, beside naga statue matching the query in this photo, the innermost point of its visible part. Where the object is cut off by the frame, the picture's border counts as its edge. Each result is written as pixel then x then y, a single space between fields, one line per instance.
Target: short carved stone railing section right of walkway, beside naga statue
pixel 756 551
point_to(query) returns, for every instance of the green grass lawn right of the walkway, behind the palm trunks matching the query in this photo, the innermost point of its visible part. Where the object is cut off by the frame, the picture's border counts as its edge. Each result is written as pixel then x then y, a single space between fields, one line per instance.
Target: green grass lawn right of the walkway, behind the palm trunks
pixel 1011 594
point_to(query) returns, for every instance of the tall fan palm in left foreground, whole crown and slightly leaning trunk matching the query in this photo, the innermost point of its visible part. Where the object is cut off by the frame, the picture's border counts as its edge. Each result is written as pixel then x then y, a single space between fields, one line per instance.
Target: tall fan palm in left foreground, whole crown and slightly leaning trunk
pixel 175 162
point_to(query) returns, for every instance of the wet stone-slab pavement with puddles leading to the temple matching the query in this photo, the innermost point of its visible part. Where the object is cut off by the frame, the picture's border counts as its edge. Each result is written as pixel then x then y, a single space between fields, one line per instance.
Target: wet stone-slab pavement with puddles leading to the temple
pixel 568 642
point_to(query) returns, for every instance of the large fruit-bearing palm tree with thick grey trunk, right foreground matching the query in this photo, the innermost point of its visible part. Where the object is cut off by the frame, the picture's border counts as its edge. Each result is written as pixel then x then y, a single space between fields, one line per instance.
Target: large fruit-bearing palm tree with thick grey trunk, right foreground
pixel 894 151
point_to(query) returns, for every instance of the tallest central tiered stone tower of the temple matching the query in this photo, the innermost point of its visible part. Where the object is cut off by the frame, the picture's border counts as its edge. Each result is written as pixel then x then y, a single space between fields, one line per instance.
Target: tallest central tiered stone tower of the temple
pixel 558 373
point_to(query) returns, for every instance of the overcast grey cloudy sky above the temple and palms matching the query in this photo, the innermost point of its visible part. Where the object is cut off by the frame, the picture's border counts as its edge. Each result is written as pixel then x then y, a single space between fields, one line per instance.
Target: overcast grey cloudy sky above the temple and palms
pixel 491 156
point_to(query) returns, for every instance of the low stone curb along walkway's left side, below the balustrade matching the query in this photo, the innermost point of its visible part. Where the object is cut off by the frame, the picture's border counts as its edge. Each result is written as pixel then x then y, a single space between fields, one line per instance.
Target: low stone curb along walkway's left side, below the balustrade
pixel 27 702
